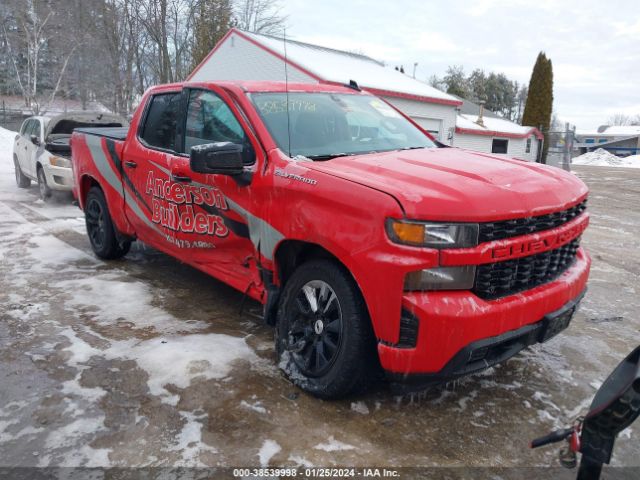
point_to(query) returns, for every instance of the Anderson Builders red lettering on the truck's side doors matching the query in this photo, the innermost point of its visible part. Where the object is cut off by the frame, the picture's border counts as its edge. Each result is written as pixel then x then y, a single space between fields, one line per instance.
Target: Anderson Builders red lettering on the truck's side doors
pixel 168 197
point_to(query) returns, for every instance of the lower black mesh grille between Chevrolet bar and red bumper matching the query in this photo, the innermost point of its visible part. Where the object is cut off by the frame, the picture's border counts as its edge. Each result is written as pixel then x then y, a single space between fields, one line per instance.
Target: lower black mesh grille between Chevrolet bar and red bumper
pixel 495 280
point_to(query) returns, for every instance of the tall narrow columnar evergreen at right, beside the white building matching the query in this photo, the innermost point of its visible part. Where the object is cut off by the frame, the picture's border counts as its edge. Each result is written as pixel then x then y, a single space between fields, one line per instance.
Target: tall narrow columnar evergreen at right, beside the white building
pixel 539 105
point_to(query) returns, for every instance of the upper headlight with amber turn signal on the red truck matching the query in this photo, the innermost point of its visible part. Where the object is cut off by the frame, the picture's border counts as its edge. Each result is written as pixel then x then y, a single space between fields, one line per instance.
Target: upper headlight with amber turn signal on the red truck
pixel 433 235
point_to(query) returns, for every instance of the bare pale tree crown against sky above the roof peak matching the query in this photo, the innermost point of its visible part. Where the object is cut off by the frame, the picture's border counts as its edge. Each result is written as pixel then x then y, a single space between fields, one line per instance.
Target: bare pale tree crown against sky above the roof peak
pixel 260 16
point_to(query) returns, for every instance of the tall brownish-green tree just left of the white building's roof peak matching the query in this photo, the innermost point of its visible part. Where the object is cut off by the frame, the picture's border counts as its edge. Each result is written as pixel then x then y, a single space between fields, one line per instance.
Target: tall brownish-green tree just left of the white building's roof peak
pixel 212 20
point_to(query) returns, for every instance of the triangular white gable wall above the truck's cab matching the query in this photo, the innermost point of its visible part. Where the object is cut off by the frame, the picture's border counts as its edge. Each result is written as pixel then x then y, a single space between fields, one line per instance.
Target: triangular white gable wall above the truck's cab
pixel 239 59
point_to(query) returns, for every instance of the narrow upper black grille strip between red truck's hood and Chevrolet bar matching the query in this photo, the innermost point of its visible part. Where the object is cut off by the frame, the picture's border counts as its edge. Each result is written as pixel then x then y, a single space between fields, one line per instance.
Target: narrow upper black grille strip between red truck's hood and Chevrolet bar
pixel 523 226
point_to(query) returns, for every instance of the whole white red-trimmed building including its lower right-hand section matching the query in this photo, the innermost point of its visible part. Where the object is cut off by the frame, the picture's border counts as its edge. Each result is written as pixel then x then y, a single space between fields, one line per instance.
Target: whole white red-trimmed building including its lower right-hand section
pixel 248 56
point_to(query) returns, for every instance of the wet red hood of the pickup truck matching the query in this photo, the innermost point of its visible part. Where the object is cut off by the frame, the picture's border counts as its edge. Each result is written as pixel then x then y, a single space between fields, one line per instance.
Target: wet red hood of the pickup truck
pixel 450 184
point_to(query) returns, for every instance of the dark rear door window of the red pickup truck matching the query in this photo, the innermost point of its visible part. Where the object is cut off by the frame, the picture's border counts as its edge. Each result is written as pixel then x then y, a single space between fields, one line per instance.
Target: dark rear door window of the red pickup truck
pixel 159 129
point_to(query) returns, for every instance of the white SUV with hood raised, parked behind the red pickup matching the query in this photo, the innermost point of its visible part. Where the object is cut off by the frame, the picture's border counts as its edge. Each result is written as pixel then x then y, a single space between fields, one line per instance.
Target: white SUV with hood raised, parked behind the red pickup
pixel 41 151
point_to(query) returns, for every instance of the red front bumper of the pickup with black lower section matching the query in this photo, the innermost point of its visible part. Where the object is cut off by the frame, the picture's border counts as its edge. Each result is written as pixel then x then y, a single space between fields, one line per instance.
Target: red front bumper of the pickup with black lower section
pixel 454 326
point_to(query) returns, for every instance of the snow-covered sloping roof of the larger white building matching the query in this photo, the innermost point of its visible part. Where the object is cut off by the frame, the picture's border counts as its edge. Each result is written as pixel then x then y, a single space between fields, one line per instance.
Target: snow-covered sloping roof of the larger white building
pixel 338 66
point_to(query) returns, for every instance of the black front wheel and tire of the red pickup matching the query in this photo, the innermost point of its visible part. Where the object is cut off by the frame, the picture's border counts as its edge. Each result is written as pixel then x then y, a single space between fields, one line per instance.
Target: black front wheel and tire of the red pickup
pixel 324 340
